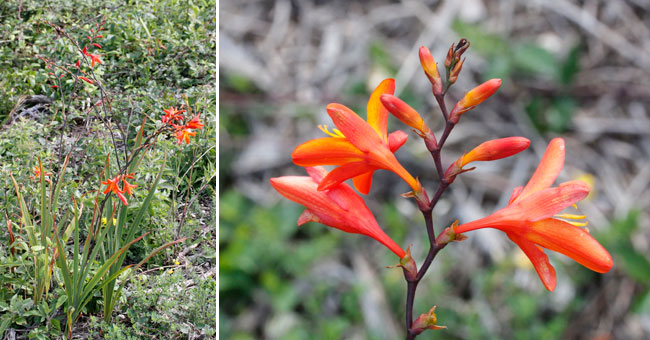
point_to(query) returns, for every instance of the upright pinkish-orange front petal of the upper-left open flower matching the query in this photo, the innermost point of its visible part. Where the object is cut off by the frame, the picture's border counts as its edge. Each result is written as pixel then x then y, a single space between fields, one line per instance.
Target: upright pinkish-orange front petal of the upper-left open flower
pixel 355 129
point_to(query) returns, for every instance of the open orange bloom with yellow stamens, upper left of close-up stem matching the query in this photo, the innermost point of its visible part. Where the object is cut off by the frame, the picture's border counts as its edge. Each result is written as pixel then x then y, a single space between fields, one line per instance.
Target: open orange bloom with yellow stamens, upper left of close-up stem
pixel 357 147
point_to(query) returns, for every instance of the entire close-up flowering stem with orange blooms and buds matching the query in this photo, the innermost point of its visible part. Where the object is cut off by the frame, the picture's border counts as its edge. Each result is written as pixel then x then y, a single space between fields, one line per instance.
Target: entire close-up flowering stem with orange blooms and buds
pixel 533 218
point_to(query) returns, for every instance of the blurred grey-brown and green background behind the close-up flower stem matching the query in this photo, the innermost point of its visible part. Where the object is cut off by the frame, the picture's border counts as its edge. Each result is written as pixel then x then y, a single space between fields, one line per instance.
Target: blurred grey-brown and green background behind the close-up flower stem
pixel 580 70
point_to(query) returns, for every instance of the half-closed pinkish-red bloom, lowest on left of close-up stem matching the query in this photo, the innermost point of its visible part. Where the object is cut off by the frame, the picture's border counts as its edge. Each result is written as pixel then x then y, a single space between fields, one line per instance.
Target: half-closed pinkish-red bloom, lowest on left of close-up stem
pixel 339 207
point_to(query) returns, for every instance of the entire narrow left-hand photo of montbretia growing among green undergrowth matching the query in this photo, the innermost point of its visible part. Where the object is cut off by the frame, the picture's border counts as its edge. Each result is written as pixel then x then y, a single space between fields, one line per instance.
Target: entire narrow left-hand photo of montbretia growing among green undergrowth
pixel 108 167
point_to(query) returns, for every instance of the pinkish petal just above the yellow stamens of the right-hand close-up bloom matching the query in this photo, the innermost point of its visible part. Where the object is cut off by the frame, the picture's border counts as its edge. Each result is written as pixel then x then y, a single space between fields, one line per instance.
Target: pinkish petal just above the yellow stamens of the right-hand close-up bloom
pixel 546 203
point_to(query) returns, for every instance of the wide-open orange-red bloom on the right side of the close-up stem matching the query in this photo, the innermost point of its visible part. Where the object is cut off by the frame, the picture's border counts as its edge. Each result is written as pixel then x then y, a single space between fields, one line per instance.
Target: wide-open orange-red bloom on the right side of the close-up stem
pixel 533 222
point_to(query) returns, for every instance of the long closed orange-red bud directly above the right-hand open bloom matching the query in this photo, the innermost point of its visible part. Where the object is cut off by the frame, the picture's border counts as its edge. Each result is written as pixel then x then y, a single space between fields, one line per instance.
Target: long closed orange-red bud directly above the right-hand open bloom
pixel 488 151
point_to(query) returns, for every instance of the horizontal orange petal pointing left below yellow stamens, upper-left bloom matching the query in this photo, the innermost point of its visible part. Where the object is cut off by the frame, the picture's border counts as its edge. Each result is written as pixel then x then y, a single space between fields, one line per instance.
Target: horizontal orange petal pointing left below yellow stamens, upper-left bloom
pixel 326 151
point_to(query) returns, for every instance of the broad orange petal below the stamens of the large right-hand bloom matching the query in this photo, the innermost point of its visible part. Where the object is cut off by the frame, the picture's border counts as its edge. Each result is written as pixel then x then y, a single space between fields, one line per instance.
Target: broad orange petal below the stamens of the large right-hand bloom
pixel 571 241
